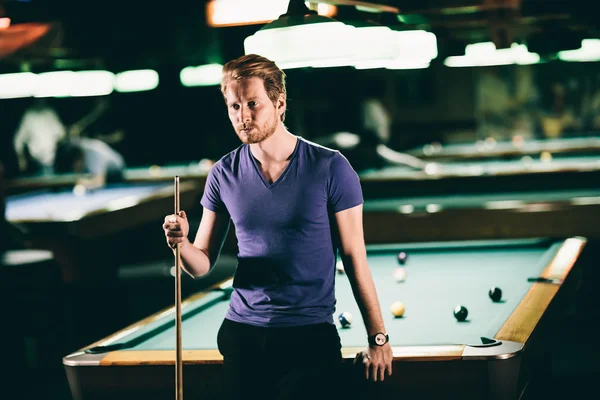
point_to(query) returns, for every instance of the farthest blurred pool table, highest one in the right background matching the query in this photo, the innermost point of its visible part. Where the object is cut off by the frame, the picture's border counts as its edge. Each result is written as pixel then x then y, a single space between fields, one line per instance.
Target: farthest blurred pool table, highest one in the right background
pixel 517 147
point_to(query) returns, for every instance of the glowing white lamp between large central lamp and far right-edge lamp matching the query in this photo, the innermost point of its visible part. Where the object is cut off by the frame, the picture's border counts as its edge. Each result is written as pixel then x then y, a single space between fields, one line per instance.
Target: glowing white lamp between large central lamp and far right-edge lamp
pixel 486 54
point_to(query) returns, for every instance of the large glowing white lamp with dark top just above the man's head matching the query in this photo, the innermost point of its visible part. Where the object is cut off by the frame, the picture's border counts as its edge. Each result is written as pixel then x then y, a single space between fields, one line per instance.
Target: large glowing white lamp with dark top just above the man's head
pixel 302 38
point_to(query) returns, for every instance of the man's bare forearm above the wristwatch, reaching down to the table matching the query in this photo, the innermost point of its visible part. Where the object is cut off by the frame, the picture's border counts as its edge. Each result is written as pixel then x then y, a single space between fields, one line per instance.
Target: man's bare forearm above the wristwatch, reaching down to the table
pixel 364 291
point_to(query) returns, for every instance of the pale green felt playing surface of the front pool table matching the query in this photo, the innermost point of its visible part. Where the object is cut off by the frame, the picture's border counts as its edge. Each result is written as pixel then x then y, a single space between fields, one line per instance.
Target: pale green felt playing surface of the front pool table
pixel 438 278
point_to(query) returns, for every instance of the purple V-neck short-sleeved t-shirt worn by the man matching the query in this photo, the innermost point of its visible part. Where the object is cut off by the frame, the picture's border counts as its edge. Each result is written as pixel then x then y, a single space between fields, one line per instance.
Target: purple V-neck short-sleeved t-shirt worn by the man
pixel 285 232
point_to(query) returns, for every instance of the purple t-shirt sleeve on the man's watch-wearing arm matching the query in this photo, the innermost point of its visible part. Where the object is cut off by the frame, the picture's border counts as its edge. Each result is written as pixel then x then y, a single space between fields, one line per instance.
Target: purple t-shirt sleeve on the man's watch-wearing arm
pixel 344 190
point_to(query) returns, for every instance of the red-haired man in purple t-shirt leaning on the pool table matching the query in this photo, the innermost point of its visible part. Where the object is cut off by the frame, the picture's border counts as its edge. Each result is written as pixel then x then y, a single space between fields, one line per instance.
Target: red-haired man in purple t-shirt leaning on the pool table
pixel 293 205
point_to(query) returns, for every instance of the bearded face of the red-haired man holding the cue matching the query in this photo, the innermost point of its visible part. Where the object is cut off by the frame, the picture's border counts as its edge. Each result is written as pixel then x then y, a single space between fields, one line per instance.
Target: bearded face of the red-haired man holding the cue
pixel 253 115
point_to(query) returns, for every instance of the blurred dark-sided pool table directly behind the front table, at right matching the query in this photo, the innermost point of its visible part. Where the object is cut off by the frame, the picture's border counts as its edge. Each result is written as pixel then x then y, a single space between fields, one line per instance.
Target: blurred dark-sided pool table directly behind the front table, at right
pixel 458 216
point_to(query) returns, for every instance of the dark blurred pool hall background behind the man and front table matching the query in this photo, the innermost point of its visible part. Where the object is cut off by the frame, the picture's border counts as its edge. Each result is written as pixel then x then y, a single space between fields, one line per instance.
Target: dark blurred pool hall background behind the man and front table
pixel 469 105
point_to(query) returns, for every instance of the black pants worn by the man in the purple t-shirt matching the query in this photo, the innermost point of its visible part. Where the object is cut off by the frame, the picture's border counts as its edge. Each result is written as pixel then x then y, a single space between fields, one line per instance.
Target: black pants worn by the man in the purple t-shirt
pixel 281 363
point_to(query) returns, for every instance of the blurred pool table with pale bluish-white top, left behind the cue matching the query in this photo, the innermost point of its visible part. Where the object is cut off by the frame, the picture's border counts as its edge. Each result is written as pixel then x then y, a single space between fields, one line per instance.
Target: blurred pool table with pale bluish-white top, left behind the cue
pixel 90 232
